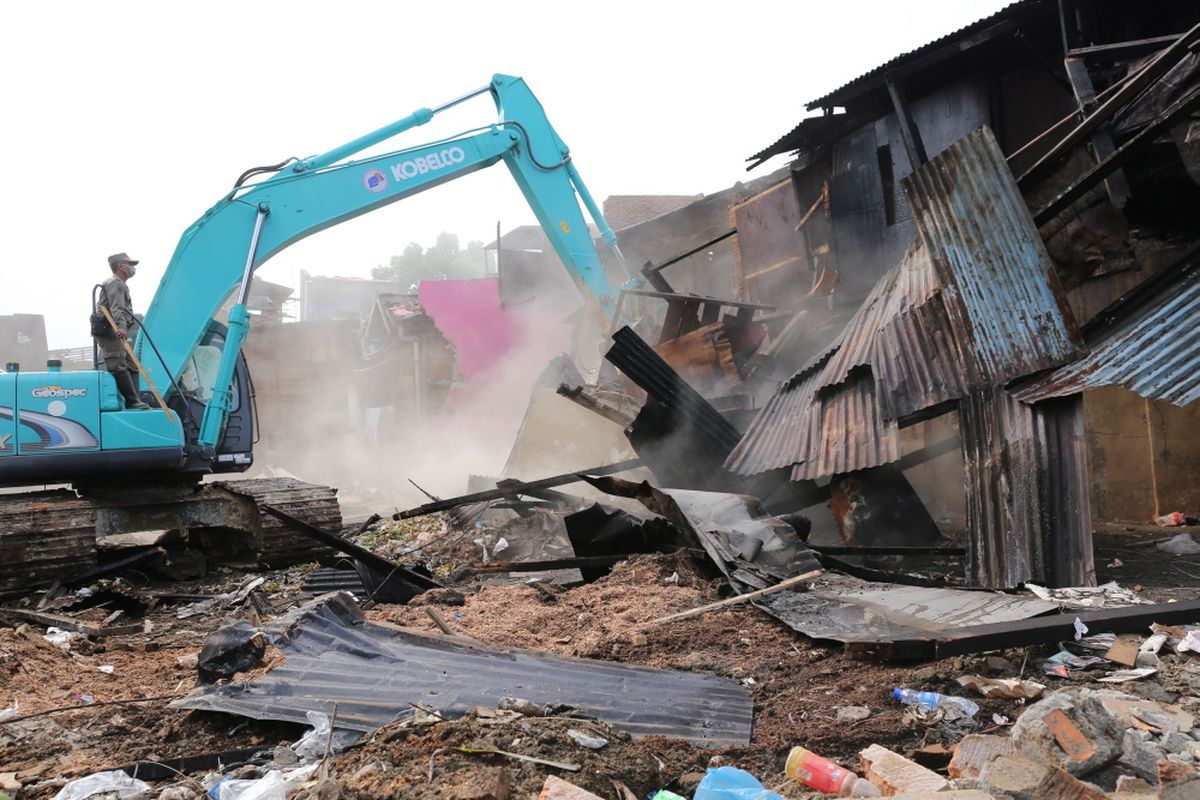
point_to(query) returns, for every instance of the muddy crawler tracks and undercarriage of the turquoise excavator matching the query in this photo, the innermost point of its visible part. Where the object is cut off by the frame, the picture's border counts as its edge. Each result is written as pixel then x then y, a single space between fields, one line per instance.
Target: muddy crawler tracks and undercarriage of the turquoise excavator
pixel 51 536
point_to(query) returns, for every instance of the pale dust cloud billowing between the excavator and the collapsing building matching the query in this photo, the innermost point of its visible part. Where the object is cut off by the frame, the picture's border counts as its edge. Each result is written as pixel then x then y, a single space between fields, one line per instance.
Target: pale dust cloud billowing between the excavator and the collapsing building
pixel 331 437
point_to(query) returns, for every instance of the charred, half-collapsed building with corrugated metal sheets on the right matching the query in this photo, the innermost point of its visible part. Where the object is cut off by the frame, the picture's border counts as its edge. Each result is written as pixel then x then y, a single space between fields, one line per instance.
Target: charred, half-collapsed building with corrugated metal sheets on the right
pixel 956 225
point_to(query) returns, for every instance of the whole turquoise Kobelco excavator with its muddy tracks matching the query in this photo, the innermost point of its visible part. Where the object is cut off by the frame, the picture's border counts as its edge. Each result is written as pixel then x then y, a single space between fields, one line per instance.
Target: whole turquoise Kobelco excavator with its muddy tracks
pixel 140 471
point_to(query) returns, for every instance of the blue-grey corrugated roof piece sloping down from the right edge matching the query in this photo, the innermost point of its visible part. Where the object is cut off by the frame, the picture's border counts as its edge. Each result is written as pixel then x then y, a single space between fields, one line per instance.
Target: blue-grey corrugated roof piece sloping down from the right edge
pixel 1156 354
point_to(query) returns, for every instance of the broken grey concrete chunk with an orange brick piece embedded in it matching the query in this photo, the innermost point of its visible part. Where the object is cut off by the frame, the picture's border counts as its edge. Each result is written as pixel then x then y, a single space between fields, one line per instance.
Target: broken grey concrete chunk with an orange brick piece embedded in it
pixel 1078 719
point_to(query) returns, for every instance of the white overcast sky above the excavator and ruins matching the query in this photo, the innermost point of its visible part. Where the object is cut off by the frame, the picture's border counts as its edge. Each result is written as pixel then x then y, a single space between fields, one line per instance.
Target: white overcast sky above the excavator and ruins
pixel 124 122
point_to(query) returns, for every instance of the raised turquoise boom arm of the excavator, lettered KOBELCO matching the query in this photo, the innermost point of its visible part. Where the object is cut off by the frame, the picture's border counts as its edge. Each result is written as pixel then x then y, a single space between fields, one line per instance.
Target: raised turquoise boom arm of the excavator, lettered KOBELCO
pixel 247 228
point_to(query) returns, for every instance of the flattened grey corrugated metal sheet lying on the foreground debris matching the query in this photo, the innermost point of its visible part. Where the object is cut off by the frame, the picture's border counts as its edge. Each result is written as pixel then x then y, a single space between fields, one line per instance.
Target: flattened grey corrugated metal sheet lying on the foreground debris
pixel 375 673
